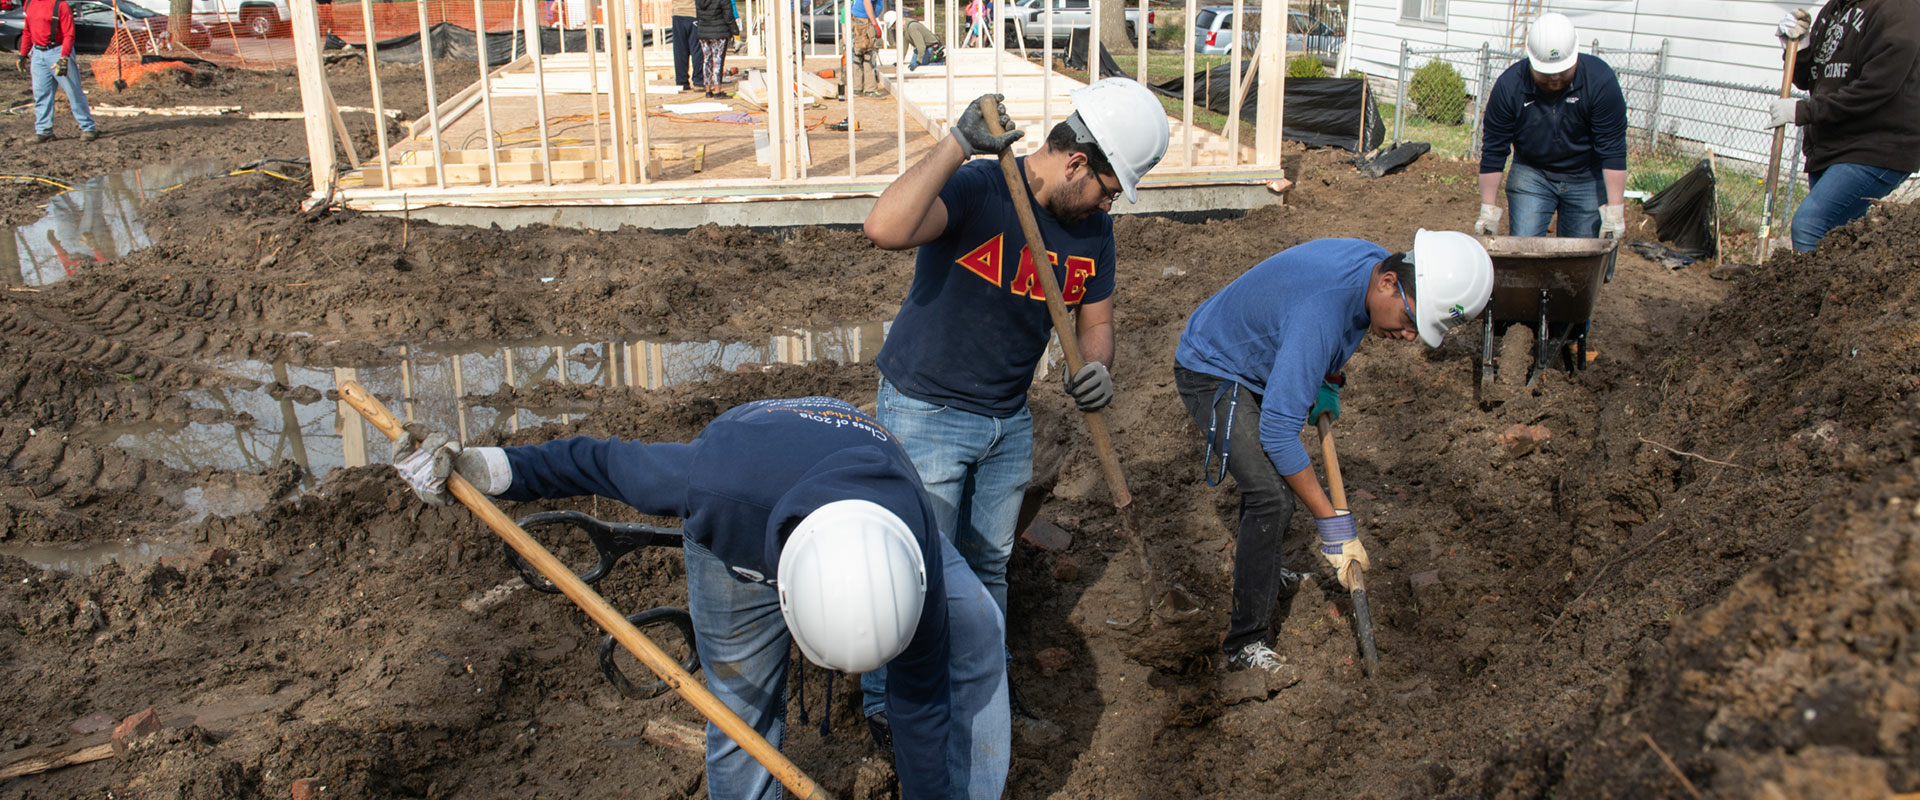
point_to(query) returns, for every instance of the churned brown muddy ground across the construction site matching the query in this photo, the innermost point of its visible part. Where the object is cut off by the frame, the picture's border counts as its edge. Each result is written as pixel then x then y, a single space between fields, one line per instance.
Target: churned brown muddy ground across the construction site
pixel 1689 571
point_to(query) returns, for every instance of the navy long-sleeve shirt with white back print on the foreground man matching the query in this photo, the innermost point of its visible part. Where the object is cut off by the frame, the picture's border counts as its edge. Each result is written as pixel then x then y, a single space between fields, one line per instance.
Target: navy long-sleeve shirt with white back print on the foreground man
pixel 742 486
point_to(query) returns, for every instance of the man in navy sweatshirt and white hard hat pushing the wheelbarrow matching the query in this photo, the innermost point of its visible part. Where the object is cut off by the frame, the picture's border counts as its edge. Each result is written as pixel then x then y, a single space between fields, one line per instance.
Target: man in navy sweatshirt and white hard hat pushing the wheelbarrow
pixel 1566 120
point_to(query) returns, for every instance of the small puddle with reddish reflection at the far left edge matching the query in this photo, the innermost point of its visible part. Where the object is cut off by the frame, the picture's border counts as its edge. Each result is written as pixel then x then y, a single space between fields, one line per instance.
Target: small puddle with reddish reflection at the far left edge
pixel 93 224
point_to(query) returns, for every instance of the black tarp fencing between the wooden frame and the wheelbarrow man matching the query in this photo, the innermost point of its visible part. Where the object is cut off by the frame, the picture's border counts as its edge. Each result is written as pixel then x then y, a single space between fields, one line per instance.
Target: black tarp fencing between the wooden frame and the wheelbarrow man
pixel 1320 112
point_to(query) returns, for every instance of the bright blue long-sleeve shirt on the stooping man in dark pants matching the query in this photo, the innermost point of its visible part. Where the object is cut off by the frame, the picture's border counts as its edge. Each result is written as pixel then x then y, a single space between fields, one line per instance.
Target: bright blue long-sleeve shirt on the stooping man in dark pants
pixel 1282 329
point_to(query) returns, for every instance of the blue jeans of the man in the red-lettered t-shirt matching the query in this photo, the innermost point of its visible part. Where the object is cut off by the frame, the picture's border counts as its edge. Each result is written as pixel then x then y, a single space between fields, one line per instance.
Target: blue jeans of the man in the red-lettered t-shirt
pixel 976 469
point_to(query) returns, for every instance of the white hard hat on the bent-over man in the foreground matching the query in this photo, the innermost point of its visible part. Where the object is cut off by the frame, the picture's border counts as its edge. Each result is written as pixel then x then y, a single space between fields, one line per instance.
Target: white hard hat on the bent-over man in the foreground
pixel 852 586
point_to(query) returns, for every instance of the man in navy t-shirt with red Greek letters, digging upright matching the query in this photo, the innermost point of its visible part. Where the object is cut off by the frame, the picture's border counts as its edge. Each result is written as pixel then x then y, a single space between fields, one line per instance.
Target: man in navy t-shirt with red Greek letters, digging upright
pixel 963 350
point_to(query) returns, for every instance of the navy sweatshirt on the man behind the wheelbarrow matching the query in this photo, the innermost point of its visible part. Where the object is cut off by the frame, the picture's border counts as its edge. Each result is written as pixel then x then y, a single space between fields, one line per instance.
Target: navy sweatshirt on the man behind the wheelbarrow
pixel 1570 135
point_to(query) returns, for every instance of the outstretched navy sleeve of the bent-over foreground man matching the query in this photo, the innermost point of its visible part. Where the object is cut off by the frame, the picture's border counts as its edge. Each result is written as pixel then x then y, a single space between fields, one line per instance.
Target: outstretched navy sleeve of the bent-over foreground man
pixel 652 479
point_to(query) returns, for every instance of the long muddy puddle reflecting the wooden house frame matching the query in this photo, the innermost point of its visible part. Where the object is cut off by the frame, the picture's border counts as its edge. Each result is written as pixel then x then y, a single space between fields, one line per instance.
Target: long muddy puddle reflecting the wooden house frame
pixel 443 387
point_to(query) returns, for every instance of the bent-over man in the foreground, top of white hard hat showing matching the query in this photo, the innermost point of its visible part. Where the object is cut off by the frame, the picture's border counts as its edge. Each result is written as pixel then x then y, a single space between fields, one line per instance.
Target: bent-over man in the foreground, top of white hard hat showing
pixel 798 517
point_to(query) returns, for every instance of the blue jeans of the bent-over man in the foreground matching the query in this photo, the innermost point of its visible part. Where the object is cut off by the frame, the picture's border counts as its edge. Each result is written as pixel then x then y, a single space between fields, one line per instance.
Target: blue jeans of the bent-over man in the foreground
pixel 744 647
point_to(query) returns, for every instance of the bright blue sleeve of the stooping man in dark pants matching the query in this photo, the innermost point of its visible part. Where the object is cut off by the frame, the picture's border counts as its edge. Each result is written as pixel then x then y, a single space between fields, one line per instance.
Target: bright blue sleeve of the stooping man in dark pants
pixel 1299 367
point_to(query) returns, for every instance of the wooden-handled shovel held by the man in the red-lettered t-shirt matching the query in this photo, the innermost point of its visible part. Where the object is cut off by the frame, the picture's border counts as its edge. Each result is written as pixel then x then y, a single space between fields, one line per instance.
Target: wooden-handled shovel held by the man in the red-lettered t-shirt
pixel 1155 596
